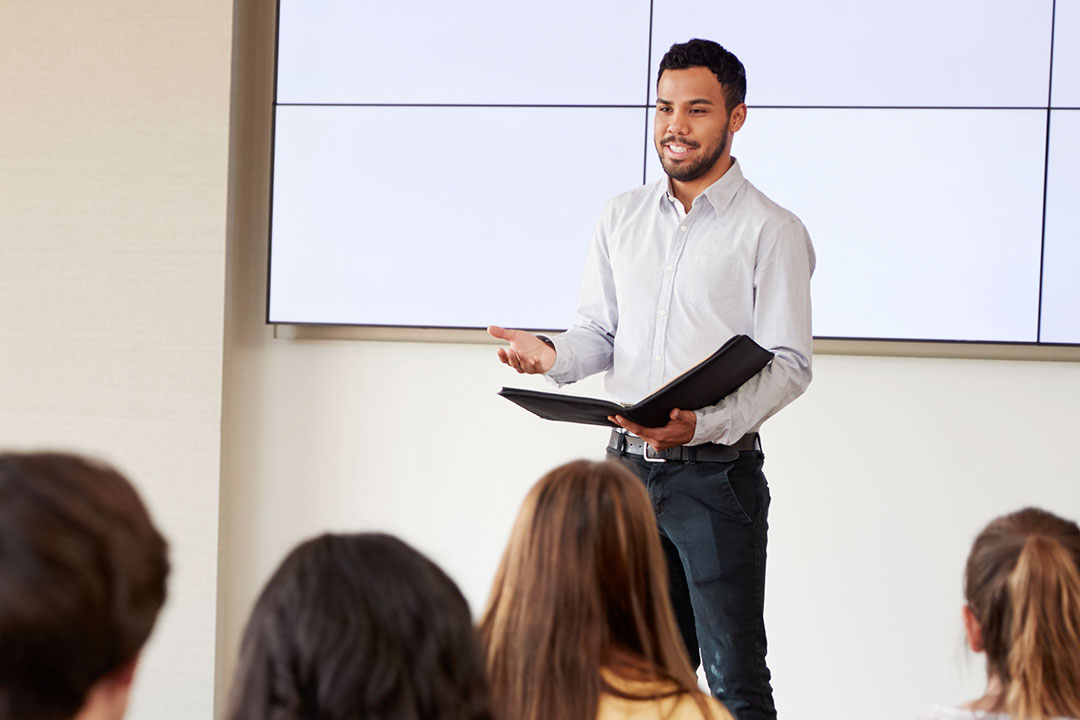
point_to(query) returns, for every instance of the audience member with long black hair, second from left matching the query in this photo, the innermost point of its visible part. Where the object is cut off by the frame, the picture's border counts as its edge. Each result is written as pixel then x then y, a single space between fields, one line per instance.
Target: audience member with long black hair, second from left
pixel 358 628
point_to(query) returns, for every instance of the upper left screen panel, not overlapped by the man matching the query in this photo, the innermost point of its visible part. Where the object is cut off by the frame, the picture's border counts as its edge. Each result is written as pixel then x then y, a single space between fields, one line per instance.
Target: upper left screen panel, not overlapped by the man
pixel 557 52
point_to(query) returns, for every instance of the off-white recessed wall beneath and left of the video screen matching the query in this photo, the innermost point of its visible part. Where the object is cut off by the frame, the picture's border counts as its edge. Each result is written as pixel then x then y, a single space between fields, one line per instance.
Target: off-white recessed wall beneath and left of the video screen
pixel 881 476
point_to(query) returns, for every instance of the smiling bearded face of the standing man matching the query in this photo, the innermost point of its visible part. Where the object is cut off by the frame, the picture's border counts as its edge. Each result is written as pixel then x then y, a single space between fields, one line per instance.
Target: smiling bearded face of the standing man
pixel 692 128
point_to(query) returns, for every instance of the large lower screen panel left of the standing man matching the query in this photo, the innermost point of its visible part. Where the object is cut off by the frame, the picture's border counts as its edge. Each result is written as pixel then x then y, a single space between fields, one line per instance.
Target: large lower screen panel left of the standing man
pixel 491 226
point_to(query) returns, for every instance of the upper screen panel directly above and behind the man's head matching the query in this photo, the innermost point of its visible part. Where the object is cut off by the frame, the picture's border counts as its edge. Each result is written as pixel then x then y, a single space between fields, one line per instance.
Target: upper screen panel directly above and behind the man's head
pixel 967 53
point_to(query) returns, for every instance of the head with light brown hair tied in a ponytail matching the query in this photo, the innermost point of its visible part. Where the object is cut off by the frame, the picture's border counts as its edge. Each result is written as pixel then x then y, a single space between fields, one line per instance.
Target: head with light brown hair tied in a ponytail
pixel 1023 586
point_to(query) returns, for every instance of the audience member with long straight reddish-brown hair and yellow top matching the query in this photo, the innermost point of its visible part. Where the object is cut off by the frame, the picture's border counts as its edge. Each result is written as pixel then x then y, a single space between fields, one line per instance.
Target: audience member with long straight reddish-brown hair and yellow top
pixel 579 624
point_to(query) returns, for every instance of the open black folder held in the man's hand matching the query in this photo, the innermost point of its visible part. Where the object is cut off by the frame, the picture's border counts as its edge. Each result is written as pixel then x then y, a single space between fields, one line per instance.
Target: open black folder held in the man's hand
pixel 707 384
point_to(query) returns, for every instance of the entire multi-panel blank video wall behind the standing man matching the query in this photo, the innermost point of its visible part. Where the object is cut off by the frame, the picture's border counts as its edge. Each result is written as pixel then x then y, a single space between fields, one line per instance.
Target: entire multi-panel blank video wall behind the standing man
pixel 451 175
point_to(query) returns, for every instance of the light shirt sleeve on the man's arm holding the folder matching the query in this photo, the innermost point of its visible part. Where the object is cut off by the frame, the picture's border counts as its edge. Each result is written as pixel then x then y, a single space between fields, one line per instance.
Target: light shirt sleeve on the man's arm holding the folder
pixel 786 261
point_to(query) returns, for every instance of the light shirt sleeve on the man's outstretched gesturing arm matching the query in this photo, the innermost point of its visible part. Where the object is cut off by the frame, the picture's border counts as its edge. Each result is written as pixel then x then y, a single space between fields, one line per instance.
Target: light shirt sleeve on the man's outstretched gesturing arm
pixel 589 346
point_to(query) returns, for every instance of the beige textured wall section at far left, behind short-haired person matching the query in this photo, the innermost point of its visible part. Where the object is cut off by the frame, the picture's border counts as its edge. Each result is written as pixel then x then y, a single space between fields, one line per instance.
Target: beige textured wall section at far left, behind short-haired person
pixel 114 160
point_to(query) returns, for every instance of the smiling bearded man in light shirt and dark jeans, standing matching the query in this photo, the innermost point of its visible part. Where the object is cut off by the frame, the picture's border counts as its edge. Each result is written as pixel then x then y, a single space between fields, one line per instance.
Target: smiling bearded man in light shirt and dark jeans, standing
pixel 674 270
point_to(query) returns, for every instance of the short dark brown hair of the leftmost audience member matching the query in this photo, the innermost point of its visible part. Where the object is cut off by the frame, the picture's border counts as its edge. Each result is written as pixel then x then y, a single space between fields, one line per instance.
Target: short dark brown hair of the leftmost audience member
pixel 83 578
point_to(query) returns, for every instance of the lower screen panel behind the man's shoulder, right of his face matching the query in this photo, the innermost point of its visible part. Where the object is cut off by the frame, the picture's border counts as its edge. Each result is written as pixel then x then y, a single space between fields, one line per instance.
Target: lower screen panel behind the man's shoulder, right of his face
pixel 917 232
